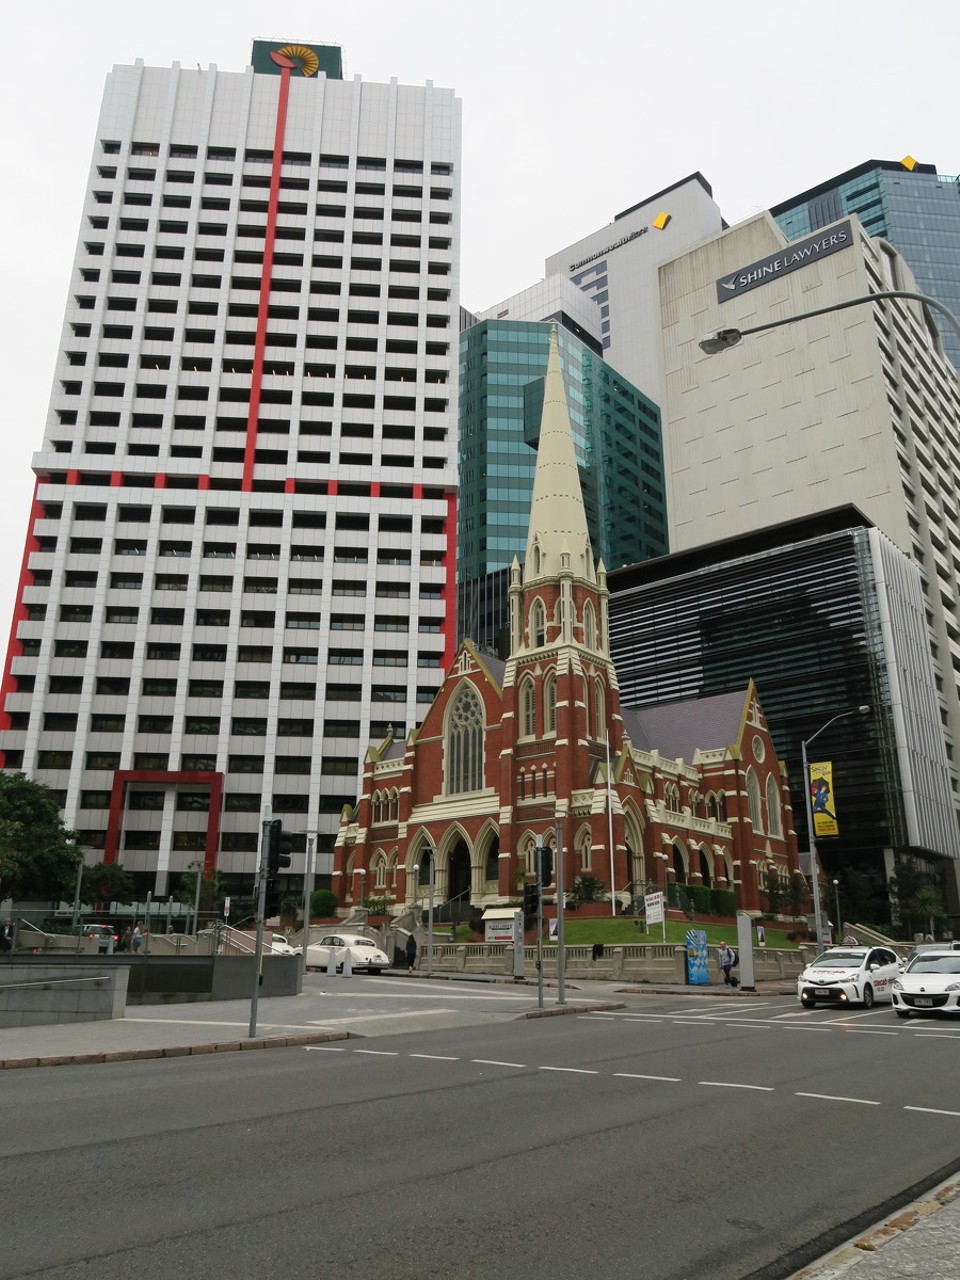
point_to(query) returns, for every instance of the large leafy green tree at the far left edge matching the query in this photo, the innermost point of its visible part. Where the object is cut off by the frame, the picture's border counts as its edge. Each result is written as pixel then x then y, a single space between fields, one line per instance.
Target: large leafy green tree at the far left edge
pixel 38 857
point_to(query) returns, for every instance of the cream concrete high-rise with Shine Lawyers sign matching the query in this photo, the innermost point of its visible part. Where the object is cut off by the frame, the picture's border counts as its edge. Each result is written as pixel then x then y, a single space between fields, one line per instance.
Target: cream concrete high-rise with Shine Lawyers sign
pixel 856 406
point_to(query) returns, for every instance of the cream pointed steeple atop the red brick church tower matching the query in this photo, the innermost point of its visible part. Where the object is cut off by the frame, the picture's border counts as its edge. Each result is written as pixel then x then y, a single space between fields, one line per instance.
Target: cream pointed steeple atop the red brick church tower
pixel 559 538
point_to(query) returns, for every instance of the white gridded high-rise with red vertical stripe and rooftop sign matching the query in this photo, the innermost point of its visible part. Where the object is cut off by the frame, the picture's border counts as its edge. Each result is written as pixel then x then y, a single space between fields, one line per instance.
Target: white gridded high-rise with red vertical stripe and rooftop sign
pixel 240 566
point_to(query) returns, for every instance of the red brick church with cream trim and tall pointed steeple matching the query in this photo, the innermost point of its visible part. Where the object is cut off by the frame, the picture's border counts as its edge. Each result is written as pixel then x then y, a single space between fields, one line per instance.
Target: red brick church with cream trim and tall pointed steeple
pixel 540 751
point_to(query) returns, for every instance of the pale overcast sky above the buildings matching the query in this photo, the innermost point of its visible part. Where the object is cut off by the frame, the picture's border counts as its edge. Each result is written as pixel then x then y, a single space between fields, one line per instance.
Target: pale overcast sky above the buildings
pixel 572 115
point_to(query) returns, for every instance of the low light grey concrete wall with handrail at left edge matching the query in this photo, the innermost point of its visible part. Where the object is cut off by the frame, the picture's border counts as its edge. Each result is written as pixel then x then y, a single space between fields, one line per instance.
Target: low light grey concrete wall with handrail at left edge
pixel 39 995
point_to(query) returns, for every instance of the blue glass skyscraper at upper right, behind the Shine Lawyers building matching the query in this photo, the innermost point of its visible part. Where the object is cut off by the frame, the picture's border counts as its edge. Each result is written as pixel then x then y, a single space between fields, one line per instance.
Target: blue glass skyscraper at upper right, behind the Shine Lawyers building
pixel 908 204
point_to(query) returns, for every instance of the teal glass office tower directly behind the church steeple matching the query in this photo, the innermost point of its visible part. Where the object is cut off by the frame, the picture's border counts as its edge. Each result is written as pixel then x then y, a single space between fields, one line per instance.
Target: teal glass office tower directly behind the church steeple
pixel 618 441
